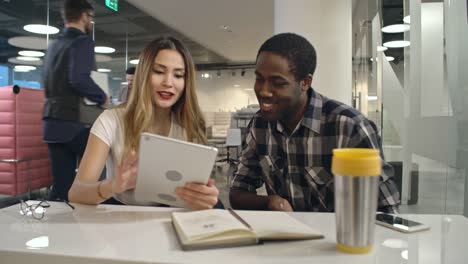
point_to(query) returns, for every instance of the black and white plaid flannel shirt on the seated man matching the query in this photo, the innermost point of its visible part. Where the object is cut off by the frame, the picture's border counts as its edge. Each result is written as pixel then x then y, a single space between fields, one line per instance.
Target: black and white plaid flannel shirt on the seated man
pixel 297 166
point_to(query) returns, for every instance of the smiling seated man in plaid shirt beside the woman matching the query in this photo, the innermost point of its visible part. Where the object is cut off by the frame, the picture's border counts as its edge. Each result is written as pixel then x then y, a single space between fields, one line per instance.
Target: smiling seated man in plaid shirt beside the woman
pixel 290 140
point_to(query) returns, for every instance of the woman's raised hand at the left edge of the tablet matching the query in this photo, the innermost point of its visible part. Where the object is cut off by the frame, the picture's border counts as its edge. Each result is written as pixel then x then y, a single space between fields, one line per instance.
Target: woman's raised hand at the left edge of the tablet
pixel 125 175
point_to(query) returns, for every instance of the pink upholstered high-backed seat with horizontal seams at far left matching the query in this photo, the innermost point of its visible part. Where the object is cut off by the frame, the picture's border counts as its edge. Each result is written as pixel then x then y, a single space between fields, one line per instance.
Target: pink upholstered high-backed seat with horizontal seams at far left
pixel 24 160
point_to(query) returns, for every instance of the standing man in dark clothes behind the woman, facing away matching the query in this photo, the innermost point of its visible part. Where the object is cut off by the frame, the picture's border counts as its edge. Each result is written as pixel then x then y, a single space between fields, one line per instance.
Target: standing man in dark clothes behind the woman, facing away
pixel 67 80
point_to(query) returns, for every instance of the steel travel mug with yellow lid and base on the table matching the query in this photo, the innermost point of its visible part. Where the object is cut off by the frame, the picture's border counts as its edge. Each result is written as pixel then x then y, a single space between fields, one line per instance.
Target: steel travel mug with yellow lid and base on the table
pixel 356 174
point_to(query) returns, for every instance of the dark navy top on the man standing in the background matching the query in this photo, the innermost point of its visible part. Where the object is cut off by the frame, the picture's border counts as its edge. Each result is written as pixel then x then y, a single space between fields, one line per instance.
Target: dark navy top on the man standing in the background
pixel 67 80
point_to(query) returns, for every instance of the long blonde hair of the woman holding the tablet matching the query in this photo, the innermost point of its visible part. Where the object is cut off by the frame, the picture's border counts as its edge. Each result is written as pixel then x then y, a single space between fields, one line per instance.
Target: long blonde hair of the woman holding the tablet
pixel 140 110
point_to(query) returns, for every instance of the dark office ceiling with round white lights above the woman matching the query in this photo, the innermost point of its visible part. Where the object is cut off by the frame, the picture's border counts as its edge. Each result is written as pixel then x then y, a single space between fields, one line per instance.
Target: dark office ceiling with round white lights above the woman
pixel 129 27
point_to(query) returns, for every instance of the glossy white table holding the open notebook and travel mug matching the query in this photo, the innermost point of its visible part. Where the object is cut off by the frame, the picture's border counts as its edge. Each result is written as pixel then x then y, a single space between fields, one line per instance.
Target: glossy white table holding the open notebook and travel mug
pixel 130 234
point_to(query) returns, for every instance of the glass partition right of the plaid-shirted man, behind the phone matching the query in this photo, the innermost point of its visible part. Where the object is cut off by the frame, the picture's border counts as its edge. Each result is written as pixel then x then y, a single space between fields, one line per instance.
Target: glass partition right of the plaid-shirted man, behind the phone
pixel 421 92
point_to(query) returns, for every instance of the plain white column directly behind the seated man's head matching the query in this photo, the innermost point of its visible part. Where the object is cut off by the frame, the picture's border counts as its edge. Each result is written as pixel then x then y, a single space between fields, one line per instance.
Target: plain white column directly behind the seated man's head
pixel 327 24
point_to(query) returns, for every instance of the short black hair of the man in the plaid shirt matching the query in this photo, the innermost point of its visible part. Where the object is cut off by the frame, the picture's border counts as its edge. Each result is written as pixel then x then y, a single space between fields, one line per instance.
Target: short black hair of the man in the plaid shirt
pixel 296 49
